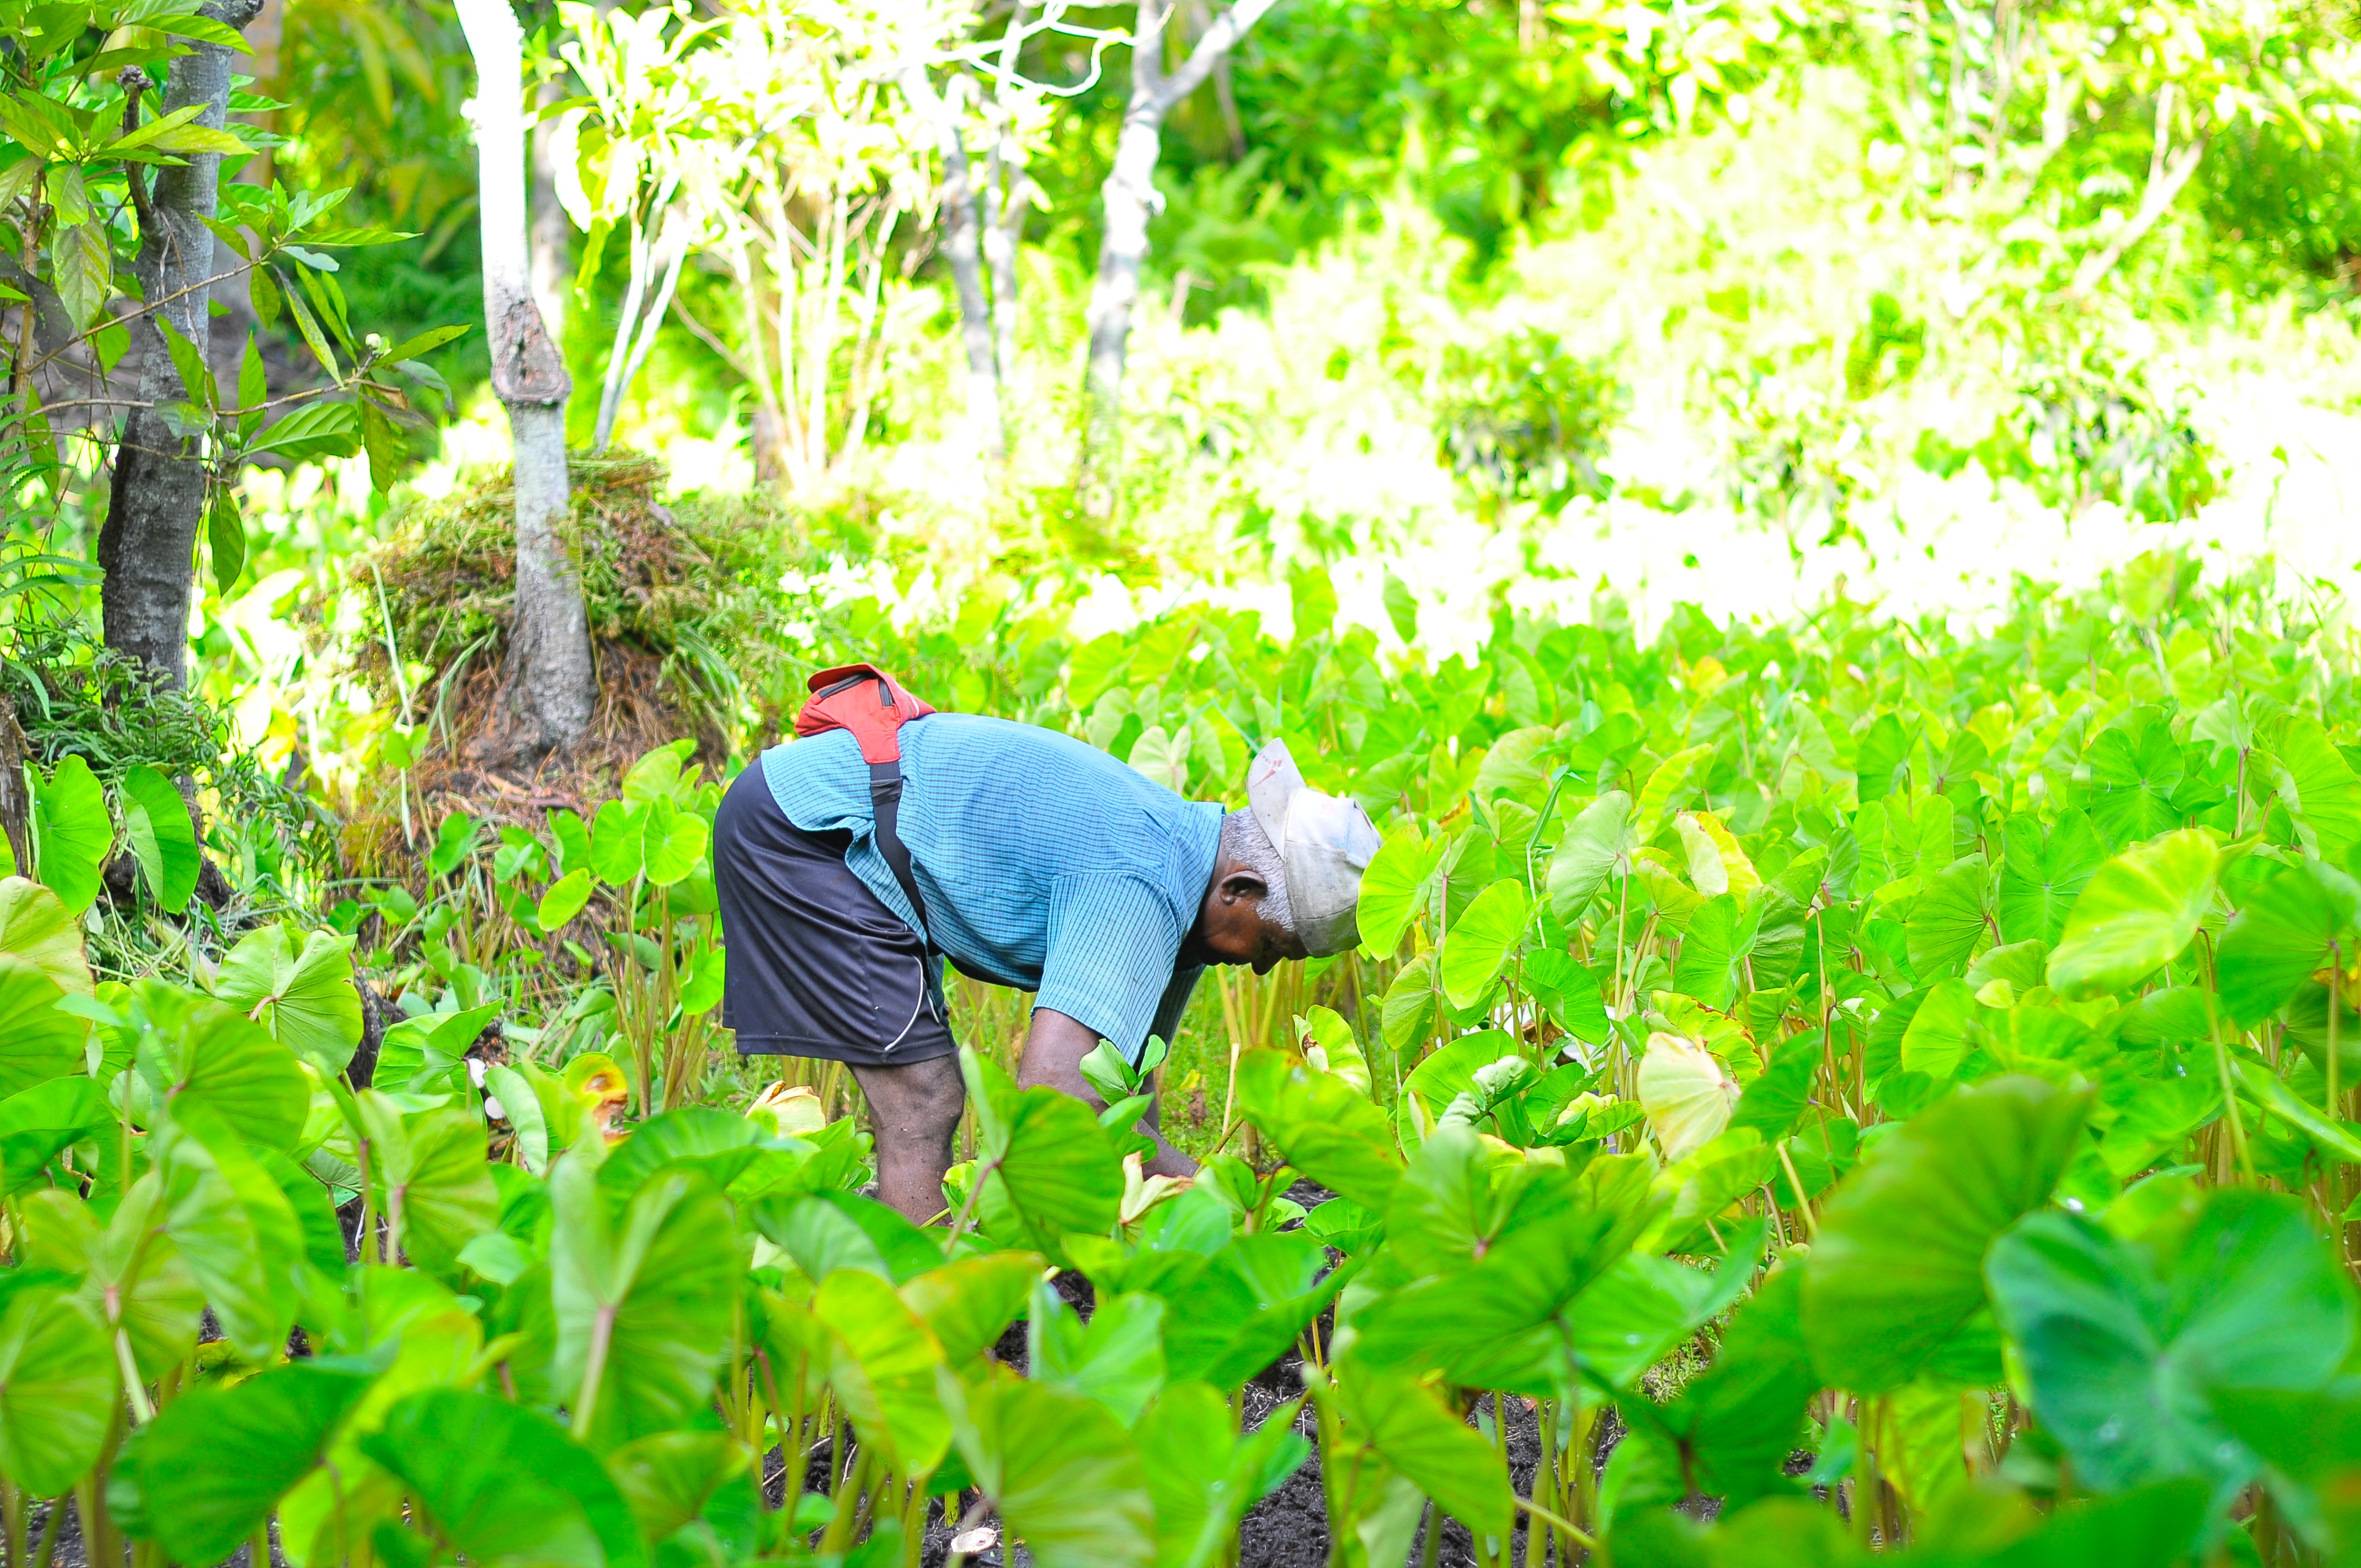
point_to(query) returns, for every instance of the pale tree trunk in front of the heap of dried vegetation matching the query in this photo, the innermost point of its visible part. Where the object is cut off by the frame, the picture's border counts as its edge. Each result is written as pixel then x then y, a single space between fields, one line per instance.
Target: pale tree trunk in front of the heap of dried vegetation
pixel 551 686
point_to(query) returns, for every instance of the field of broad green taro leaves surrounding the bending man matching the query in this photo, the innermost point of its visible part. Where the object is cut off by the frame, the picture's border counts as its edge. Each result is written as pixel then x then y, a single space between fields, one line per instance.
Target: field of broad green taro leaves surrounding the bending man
pixel 1907 1102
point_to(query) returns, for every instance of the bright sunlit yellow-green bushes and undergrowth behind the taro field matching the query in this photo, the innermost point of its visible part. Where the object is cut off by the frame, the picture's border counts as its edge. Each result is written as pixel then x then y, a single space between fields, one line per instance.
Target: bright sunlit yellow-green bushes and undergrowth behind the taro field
pixel 1751 308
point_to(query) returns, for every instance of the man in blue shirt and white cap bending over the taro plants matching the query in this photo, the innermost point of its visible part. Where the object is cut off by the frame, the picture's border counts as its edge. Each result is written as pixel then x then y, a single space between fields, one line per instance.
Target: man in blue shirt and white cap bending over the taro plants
pixel 1045 865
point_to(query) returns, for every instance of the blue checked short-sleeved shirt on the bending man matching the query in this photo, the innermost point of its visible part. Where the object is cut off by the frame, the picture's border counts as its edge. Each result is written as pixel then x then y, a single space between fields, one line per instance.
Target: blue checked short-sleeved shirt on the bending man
pixel 1045 863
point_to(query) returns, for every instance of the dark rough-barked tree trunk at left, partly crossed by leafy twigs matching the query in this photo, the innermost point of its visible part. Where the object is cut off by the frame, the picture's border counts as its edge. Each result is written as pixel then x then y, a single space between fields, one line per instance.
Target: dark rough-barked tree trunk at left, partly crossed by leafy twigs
pixel 157 502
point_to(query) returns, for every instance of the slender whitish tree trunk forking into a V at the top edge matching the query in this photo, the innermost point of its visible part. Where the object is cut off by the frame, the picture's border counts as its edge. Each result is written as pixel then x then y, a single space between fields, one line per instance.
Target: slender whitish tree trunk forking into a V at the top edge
pixel 1132 200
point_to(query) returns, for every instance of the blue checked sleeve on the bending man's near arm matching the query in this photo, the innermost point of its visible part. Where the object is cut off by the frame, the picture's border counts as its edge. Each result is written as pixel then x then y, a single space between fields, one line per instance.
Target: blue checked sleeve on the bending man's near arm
pixel 1111 958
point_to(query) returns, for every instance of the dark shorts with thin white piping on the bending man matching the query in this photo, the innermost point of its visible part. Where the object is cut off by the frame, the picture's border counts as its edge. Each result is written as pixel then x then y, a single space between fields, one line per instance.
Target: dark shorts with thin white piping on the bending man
pixel 816 965
